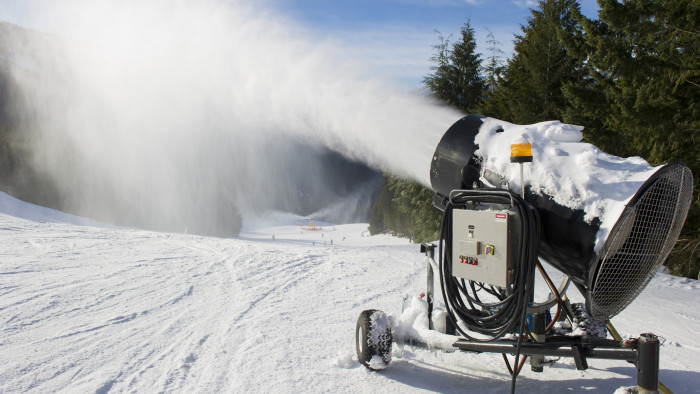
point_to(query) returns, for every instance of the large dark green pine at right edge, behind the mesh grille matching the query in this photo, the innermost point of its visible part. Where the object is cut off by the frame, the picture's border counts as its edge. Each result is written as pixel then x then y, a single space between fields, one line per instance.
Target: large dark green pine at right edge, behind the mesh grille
pixel 643 90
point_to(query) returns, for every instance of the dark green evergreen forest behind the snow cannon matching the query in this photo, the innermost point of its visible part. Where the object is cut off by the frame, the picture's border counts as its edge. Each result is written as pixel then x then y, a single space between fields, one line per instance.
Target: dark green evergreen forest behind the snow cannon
pixel 631 77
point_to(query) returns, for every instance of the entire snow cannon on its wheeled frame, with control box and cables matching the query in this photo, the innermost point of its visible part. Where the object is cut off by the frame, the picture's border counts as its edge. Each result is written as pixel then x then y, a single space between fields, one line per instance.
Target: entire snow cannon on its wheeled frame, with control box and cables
pixel 517 199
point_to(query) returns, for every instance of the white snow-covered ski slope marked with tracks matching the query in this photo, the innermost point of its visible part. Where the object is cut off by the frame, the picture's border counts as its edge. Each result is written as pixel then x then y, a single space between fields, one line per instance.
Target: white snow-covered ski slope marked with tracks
pixel 86 307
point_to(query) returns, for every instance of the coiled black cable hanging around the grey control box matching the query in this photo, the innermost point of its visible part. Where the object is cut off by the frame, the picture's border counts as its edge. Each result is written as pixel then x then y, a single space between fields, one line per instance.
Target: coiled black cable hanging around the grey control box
pixel 495 319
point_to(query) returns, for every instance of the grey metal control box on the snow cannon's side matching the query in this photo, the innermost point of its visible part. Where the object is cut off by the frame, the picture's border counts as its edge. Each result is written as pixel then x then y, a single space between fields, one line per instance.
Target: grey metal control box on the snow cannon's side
pixel 484 243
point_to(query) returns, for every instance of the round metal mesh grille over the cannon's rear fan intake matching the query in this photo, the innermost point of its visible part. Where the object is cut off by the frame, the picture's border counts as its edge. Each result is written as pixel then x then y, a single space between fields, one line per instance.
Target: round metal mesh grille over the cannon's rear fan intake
pixel 643 239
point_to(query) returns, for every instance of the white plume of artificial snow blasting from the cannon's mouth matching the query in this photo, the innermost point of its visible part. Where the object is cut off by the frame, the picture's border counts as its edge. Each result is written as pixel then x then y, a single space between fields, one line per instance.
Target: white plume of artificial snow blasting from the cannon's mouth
pixel 163 113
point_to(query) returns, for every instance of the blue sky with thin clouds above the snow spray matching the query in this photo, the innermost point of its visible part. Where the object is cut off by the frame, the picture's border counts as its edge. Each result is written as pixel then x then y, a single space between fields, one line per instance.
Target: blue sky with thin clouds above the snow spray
pixel 394 37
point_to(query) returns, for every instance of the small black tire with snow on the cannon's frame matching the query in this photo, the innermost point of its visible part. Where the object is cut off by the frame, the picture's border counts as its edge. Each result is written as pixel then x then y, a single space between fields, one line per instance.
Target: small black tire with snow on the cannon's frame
pixel 373 339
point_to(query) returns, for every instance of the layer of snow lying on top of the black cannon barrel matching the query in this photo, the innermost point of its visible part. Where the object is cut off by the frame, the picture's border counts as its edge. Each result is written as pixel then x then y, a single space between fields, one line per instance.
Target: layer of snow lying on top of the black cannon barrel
pixel 574 174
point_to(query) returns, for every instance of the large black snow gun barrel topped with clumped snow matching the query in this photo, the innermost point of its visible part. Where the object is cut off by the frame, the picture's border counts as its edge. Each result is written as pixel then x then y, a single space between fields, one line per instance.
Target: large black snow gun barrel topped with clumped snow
pixel 610 260
